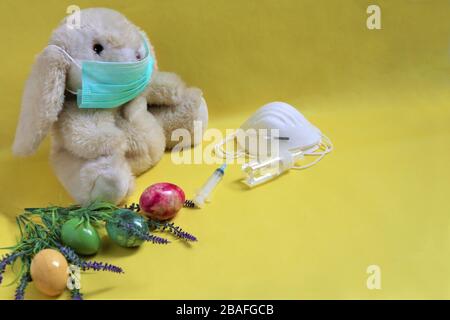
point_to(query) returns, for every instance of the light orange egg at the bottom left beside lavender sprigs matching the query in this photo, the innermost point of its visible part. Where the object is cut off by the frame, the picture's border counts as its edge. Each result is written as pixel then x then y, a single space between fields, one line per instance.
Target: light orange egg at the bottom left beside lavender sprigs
pixel 49 271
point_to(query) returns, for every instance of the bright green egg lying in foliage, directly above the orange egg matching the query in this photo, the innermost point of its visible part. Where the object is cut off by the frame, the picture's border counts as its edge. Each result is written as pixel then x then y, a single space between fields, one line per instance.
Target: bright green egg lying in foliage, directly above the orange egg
pixel 81 236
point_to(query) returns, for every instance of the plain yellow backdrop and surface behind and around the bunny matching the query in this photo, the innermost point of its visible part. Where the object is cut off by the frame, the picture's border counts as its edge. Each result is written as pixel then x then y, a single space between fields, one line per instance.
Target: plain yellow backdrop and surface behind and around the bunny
pixel 382 197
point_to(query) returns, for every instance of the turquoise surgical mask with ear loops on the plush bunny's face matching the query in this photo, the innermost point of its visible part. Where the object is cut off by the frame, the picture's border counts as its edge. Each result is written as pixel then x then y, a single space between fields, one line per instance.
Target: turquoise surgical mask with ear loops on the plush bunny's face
pixel 107 85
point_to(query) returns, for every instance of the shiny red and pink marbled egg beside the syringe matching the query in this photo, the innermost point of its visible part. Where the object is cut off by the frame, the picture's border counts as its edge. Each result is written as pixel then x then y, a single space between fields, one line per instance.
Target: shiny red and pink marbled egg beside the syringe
pixel 162 201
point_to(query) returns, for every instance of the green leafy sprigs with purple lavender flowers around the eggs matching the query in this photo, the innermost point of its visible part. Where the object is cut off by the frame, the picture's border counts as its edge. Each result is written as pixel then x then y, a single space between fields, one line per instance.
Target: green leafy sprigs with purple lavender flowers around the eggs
pixel 40 228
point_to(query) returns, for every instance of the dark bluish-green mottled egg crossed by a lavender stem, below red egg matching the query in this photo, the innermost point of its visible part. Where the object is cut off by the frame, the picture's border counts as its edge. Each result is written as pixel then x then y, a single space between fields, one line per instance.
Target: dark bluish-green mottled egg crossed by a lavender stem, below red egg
pixel 120 234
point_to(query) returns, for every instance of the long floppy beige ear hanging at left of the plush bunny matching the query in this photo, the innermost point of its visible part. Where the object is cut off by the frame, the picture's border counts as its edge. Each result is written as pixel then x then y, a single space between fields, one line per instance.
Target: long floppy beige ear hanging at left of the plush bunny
pixel 42 100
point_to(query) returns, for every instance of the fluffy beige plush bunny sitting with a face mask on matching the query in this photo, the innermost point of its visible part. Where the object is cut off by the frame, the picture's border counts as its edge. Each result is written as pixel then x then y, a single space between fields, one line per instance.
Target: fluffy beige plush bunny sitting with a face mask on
pixel 97 152
